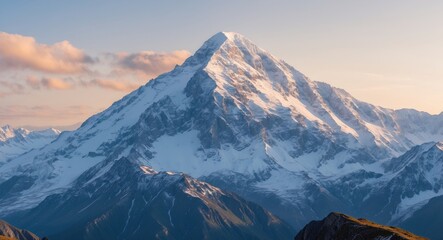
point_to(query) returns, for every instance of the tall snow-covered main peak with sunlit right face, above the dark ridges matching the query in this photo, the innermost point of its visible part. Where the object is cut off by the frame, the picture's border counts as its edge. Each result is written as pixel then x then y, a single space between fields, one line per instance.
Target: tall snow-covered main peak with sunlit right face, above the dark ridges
pixel 240 118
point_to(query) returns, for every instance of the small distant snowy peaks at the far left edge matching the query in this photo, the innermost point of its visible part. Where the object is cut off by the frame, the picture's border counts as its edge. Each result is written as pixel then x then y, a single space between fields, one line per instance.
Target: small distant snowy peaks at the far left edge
pixel 14 142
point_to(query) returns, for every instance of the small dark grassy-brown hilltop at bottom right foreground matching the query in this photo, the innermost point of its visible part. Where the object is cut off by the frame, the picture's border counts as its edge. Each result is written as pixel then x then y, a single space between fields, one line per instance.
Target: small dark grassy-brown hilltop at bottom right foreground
pixel 337 226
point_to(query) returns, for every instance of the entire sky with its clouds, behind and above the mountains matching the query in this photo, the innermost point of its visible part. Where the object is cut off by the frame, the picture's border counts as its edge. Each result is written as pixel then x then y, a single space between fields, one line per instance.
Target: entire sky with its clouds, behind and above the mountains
pixel 61 62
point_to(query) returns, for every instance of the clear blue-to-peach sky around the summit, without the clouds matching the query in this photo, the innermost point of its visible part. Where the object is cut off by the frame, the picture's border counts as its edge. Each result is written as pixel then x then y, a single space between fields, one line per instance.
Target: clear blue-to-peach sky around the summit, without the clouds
pixel 389 53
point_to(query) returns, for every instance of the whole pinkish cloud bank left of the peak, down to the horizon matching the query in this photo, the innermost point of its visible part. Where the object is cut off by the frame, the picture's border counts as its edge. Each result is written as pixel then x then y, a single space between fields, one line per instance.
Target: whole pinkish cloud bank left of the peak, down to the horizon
pixel 30 69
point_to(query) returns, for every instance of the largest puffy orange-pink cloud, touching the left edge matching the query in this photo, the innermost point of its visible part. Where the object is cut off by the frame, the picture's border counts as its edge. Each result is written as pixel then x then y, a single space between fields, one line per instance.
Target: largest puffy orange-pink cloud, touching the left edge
pixel 22 52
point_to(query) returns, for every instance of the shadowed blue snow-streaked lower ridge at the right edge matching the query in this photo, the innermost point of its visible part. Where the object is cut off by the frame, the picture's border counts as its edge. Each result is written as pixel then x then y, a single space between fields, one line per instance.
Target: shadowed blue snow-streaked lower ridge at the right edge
pixel 403 195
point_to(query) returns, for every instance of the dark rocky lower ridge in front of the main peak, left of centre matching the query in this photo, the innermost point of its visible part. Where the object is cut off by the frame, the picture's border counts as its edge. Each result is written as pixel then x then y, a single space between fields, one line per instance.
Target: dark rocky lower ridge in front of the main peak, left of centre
pixel 132 202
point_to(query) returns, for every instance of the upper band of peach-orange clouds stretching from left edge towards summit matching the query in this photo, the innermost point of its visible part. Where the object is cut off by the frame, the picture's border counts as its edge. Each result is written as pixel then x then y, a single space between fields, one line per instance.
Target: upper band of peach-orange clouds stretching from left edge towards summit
pixel 36 66
